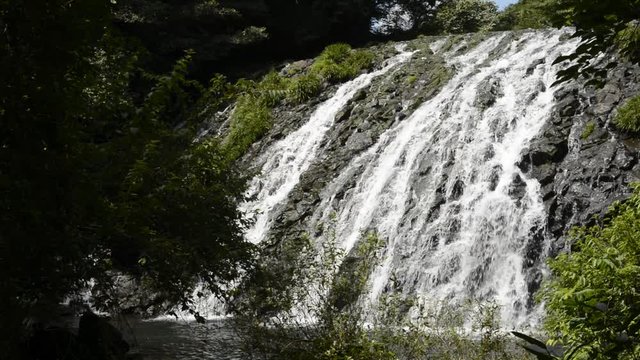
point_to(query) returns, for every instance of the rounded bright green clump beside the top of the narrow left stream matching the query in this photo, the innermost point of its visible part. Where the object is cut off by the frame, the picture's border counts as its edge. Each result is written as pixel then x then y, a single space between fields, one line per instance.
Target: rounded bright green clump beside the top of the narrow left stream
pixel 338 62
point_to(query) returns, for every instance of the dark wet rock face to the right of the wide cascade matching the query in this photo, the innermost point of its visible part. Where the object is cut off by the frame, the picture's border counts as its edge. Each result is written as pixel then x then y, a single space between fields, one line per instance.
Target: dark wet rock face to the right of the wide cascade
pixel 582 162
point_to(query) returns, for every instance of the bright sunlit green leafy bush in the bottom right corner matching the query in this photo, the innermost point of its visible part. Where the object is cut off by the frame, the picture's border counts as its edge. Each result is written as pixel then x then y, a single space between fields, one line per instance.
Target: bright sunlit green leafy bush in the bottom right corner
pixel 592 302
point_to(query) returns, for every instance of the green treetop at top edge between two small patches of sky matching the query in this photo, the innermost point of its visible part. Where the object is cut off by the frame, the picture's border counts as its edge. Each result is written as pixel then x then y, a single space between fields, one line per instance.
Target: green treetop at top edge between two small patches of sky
pixel 464 16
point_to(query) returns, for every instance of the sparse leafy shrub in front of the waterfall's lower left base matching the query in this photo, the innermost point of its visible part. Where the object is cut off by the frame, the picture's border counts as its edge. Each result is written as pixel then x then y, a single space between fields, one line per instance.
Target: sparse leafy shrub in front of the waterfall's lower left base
pixel 316 285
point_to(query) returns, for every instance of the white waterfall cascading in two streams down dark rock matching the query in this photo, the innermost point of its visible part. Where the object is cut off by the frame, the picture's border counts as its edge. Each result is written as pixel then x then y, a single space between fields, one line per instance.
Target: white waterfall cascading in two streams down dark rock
pixel 441 187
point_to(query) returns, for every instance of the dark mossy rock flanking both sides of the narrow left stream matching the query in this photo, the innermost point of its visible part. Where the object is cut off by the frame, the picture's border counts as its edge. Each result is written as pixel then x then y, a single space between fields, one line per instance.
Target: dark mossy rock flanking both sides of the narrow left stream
pixel 387 100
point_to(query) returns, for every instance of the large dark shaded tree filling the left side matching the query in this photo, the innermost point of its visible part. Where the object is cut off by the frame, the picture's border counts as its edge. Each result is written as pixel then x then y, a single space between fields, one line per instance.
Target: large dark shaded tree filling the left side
pixel 97 180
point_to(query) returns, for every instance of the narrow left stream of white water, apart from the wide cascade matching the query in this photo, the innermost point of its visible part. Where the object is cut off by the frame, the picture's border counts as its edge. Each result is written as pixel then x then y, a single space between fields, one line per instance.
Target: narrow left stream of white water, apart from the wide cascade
pixel 287 159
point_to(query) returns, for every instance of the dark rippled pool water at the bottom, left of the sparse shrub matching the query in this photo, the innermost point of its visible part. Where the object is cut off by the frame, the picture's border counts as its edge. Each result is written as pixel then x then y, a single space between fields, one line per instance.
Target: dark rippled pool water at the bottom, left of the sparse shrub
pixel 164 340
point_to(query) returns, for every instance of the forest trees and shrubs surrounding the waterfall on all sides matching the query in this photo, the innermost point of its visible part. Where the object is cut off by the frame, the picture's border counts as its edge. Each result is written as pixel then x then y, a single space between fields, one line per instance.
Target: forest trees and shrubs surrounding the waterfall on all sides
pixel 121 187
